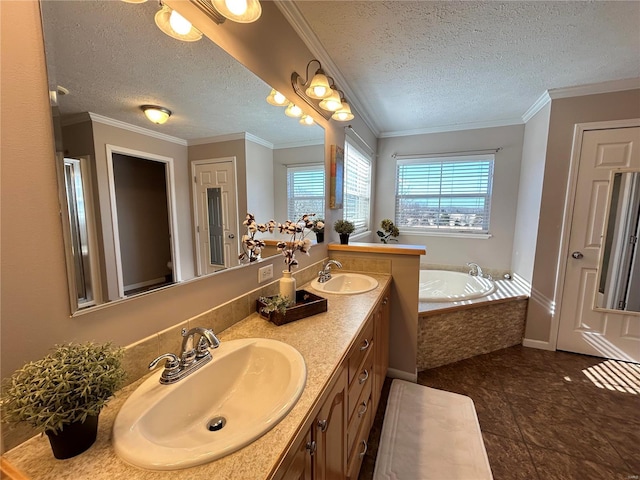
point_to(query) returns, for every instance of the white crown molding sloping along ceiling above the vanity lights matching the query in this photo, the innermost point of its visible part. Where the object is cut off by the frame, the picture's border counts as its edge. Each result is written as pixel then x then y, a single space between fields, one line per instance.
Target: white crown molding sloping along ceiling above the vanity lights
pixel 295 18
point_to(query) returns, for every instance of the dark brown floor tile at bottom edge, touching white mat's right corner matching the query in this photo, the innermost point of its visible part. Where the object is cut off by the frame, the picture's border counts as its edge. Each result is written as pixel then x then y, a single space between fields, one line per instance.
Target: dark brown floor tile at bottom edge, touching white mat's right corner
pixel 509 460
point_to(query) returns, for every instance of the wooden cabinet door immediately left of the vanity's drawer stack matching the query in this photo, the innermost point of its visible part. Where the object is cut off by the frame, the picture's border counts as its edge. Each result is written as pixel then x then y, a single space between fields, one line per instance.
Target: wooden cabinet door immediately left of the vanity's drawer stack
pixel 330 460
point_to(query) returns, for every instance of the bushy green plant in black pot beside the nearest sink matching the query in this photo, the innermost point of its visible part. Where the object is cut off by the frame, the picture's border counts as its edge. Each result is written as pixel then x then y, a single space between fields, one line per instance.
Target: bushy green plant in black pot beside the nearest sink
pixel 62 394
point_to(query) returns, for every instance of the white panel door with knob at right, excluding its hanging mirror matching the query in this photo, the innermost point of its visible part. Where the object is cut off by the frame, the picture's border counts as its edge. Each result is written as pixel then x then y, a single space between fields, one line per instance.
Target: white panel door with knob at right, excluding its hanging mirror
pixel 583 327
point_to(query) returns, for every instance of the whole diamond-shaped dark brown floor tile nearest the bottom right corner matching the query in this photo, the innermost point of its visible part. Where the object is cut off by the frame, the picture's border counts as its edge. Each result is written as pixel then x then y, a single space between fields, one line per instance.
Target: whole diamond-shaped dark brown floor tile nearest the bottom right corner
pixel 566 430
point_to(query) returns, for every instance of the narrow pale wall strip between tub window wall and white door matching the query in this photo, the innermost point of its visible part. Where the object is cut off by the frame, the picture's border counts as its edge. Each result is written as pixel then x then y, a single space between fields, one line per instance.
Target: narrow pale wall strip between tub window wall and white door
pixel 529 193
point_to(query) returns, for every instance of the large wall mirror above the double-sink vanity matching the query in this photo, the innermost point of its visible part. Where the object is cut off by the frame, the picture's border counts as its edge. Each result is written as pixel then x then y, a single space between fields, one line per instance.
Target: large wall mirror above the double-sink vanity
pixel 150 205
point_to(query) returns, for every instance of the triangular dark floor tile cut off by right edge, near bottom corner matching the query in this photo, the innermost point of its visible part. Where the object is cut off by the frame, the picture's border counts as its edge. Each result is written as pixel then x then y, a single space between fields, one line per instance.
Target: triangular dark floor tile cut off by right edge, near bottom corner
pixel 624 436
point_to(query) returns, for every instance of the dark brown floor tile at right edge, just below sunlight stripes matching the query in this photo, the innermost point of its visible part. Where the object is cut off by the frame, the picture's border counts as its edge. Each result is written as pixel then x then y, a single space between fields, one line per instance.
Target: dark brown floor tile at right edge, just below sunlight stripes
pixel 603 401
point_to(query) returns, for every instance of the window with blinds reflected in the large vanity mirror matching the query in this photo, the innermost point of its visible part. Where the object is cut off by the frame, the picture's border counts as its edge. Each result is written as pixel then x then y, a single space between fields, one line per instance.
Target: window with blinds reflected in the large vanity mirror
pixel 305 191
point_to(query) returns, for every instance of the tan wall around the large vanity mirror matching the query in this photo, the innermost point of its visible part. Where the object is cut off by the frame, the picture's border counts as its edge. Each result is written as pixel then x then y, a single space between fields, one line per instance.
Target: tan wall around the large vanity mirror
pixel 35 303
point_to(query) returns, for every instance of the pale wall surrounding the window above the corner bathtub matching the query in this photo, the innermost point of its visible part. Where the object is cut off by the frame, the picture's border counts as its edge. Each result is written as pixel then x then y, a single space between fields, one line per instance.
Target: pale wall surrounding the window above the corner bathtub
pixel 495 252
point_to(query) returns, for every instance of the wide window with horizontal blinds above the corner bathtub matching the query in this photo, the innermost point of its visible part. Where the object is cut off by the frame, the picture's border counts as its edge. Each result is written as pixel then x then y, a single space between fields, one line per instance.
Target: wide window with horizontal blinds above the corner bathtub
pixel 451 194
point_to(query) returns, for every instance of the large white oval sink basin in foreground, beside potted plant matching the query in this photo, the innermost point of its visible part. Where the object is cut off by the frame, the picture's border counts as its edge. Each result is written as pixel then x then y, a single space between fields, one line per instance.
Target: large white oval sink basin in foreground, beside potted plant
pixel 251 383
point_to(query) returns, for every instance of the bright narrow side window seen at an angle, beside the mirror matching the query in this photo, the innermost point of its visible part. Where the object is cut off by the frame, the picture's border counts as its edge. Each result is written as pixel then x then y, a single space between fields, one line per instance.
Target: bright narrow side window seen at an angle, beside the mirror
pixel 362 224
